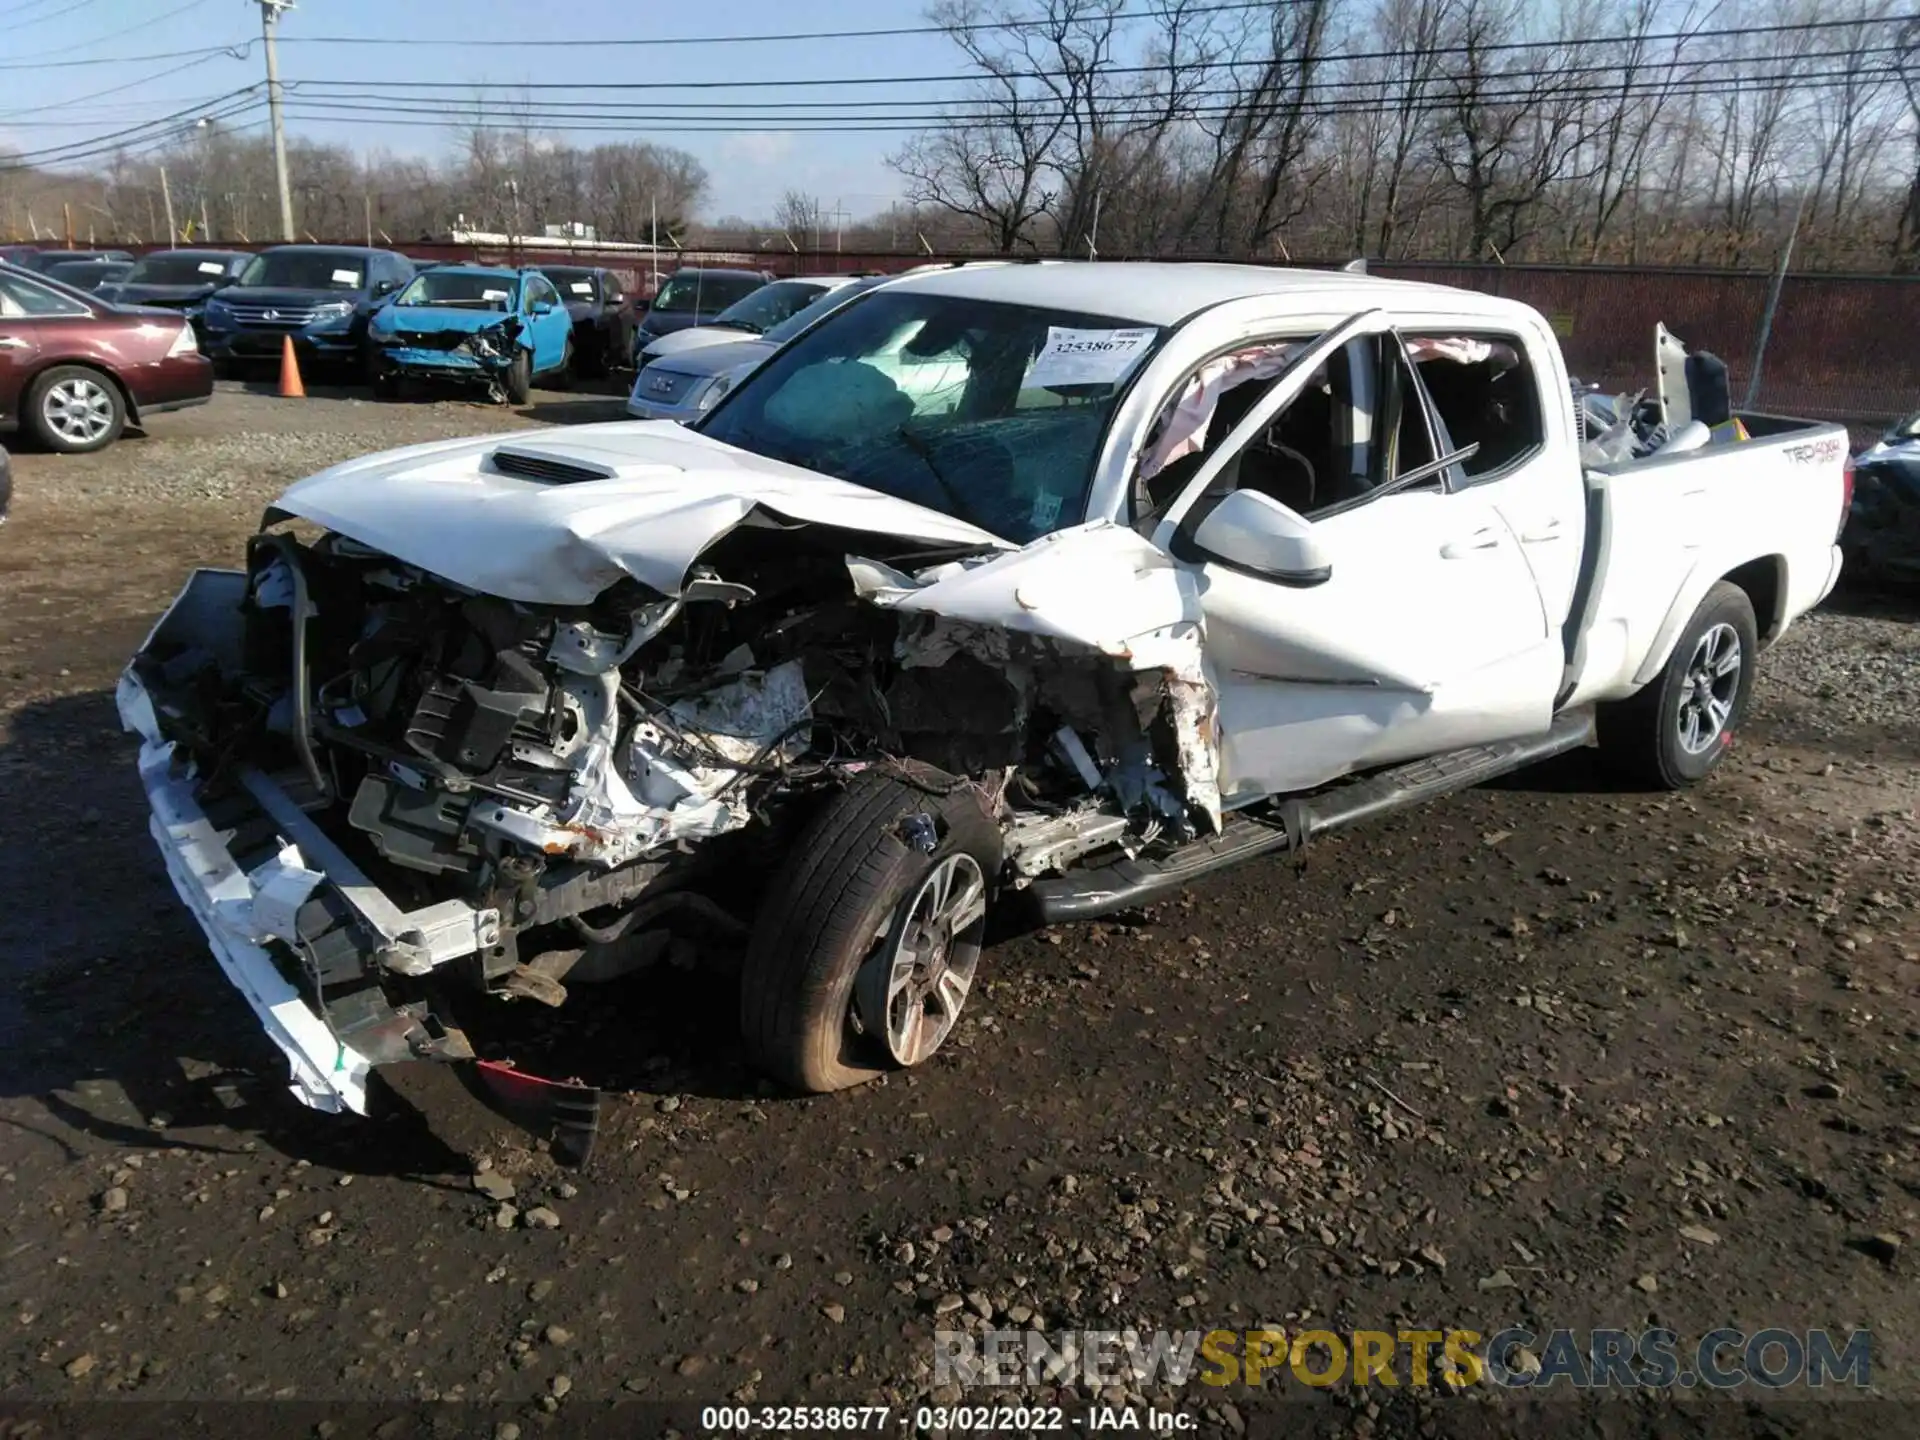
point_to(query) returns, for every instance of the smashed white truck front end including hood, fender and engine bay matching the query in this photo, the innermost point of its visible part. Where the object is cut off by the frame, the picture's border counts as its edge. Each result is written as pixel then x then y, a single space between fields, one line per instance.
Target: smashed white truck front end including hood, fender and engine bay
pixel 464 750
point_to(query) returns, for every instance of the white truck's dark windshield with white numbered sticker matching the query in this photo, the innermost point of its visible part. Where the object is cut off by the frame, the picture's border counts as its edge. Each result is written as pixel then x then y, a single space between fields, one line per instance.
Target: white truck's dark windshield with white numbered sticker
pixel 992 414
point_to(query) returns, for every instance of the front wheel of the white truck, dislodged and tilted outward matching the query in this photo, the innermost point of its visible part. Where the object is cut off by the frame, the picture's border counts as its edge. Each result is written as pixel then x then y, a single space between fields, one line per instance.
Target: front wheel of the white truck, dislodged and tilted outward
pixel 867 946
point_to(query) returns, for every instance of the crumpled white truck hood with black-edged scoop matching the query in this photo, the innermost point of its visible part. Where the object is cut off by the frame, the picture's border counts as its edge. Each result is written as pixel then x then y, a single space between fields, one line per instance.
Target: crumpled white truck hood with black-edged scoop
pixel 665 496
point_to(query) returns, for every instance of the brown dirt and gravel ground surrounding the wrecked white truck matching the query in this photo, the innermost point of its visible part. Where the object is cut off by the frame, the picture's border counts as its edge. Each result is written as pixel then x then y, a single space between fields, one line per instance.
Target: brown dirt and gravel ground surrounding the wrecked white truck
pixel 1541 1055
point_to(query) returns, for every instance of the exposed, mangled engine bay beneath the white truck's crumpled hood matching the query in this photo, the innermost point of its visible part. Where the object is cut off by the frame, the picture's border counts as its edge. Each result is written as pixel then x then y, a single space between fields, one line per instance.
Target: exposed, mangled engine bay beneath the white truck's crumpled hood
pixel 592 782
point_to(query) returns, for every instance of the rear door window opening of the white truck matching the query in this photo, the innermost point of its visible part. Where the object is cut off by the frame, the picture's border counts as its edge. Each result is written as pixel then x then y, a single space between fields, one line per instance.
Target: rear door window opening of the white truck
pixel 1485 393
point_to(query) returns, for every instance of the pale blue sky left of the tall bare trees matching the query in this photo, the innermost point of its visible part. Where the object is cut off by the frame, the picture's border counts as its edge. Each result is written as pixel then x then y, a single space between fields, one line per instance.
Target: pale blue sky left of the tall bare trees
pixel 45 105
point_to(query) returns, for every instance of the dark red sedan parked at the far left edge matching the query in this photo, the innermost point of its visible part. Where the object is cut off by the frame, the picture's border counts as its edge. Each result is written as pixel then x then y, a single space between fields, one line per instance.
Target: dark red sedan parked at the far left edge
pixel 78 370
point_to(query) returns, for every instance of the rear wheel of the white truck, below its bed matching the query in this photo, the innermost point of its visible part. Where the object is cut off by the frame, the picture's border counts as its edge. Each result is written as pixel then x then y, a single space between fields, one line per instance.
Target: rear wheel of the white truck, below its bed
pixel 1683 725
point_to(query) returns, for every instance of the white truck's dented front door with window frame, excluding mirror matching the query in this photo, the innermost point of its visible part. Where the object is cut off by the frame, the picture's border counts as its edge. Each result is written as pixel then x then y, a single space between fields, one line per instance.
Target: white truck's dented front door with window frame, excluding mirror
pixel 1426 633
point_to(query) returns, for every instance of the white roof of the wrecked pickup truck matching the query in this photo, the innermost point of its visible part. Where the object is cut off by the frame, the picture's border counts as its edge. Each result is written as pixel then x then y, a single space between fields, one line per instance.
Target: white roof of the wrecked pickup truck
pixel 1157 293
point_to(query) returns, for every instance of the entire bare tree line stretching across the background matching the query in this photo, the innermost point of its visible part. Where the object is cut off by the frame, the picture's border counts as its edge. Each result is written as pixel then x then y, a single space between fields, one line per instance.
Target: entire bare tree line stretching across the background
pixel 1566 132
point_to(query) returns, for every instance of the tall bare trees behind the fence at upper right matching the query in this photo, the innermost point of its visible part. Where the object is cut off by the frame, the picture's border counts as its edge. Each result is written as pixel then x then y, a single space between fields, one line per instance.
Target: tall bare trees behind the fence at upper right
pixel 1587 132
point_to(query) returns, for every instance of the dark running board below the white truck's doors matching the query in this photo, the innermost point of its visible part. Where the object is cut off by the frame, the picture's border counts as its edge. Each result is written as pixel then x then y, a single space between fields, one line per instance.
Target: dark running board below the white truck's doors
pixel 1088 894
